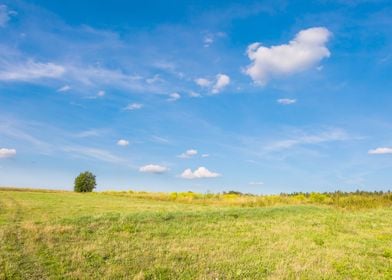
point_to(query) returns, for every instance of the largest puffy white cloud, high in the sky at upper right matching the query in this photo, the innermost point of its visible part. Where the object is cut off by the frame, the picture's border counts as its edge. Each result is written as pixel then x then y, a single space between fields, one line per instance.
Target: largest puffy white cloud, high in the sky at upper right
pixel 306 50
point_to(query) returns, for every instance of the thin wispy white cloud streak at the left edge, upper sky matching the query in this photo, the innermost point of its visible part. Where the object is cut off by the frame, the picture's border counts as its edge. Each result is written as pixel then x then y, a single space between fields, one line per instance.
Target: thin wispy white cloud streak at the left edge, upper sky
pixel 30 71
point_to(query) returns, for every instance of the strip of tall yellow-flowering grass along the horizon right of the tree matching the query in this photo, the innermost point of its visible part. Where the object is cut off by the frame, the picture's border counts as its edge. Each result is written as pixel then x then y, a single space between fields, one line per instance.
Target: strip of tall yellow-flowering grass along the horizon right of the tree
pixel 349 200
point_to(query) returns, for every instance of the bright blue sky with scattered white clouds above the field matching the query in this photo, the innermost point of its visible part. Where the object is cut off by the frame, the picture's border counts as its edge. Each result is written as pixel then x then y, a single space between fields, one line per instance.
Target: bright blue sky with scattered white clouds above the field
pixel 257 96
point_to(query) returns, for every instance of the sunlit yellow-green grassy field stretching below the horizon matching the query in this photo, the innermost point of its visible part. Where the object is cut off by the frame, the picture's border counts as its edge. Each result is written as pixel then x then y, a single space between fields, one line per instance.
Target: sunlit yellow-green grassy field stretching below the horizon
pixel 65 235
